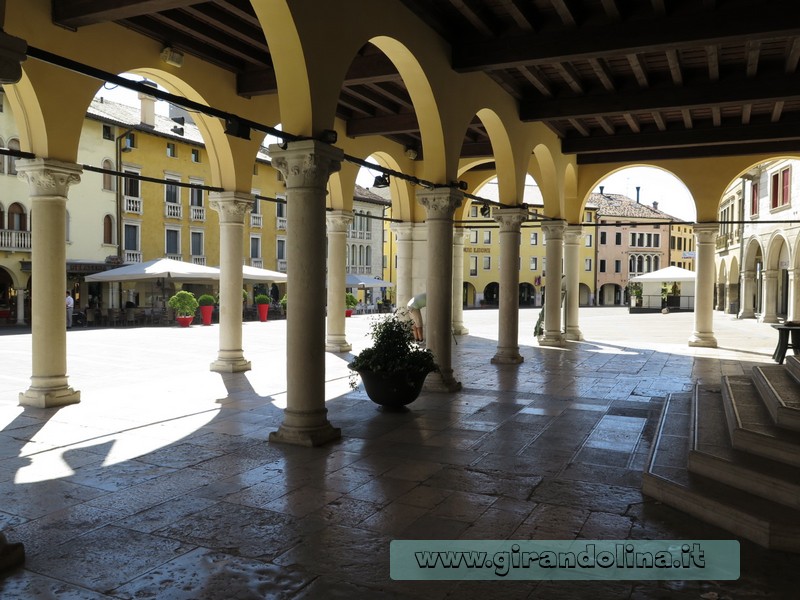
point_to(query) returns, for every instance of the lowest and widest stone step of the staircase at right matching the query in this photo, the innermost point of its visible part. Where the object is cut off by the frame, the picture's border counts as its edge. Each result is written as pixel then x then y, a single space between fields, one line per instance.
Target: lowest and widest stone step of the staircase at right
pixel 668 480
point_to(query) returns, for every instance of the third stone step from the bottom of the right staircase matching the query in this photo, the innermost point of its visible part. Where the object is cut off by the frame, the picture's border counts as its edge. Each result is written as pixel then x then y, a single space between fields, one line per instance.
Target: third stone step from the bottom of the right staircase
pixel 750 425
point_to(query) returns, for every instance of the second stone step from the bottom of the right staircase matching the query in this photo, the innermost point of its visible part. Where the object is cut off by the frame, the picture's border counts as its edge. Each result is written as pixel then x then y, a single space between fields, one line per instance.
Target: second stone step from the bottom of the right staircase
pixel 713 456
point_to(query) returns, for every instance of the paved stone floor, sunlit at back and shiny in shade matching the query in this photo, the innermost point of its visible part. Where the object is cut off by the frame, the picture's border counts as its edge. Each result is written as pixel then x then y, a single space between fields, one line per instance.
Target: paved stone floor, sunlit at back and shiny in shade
pixel 161 484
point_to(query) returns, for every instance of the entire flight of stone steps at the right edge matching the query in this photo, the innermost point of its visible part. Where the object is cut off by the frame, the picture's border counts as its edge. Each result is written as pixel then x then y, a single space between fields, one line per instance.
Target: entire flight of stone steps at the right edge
pixel 730 455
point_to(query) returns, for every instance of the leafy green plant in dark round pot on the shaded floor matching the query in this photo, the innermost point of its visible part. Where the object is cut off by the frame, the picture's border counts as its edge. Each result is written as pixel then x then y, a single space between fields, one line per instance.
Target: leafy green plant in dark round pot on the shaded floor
pixel 394 368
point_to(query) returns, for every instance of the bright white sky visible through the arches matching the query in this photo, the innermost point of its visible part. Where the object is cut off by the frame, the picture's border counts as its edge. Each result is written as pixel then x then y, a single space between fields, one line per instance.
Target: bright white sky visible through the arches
pixel 656 185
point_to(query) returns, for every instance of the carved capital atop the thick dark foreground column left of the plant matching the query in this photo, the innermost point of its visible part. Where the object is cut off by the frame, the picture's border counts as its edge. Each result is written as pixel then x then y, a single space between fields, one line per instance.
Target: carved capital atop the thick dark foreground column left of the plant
pixel 307 163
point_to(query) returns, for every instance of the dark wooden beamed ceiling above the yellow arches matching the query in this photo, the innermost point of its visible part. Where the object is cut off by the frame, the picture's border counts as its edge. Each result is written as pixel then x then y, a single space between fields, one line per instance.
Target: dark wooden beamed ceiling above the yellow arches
pixel 614 79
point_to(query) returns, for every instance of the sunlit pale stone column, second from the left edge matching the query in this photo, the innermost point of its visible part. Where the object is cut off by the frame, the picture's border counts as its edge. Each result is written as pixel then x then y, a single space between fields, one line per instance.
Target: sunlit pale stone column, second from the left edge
pixel 233 209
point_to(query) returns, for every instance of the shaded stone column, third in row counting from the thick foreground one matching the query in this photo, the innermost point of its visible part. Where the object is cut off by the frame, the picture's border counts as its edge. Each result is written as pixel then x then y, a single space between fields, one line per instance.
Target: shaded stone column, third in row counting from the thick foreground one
pixel 510 219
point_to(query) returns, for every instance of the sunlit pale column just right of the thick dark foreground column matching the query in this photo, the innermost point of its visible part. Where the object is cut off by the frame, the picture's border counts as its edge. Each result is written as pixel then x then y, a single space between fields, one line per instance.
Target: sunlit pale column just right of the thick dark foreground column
pixel 338 222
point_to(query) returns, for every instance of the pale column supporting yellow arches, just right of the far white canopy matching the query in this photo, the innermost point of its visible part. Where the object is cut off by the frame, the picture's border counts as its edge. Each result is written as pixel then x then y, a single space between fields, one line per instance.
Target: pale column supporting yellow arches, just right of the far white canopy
pixel 703 335
